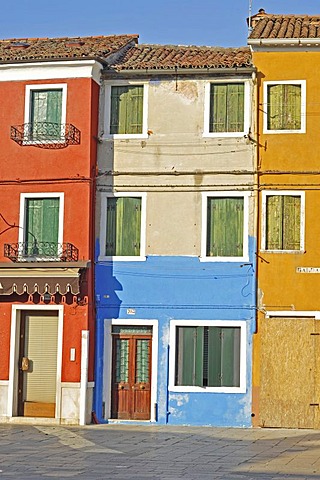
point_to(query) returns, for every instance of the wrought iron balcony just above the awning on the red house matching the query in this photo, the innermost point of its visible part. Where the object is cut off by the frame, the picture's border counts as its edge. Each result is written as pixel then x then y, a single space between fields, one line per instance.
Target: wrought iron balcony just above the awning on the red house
pixel 41 252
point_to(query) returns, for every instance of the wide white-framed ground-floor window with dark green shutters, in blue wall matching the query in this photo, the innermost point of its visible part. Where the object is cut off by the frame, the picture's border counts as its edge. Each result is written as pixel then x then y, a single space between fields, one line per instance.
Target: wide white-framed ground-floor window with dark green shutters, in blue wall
pixel 209 356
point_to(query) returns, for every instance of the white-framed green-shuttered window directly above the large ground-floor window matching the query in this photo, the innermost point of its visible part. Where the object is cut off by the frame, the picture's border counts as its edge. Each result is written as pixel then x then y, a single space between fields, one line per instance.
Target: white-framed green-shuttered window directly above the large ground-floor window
pixel 225 226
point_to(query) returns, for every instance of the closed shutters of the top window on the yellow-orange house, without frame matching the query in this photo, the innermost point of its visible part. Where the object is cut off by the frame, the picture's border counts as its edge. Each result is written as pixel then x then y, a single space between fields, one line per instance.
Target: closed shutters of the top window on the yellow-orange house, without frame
pixel 284 107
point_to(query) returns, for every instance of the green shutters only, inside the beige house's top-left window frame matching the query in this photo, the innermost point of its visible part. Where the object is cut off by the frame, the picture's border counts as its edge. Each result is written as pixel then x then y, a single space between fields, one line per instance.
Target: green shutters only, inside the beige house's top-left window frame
pixel 126 110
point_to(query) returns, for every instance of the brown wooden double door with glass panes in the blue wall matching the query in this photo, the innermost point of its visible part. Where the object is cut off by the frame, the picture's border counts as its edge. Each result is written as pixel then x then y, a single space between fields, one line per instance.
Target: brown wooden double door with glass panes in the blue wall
pixel 131 373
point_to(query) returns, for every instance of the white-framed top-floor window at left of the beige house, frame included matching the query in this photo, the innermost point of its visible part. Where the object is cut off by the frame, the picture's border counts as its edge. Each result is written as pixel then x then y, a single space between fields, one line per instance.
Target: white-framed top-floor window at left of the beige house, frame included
pixel 127 113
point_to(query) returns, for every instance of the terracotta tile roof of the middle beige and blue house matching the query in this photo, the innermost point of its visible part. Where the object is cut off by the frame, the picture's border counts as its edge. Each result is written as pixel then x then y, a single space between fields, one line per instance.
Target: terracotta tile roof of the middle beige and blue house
pixel 149 57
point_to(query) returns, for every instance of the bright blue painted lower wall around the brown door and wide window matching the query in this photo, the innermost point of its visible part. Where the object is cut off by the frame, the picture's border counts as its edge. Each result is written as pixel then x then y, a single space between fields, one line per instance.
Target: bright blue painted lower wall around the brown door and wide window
pixel 172 288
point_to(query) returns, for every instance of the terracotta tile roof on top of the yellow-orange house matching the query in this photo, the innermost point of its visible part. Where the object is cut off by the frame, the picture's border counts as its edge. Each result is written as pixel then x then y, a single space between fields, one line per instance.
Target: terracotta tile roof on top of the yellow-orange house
pixel 267 26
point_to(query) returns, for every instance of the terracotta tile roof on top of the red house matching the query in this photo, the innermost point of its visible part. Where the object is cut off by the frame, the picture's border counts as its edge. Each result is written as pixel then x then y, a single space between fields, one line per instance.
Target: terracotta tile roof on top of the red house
pixel 28 49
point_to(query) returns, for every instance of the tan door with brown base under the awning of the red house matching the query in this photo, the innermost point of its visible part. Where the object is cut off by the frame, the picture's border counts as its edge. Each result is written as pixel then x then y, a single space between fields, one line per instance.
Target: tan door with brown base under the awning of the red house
pixel 37 364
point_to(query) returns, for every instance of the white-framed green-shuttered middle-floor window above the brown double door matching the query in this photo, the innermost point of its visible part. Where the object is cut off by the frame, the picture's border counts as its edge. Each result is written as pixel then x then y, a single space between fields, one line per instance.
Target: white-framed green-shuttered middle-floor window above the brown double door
pixel 123 226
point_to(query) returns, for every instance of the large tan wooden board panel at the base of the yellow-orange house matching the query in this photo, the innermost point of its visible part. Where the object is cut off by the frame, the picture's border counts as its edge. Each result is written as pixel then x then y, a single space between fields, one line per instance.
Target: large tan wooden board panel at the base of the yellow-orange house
pixel 290 373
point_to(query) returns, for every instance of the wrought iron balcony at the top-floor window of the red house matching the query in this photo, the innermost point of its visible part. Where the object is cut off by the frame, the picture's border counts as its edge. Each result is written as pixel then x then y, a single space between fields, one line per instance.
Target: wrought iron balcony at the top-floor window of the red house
pixel 46 135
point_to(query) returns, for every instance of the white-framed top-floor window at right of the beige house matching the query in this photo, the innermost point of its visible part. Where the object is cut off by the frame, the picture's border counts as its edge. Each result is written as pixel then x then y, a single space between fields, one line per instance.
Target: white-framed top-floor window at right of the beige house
pixel 226 109
